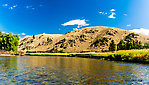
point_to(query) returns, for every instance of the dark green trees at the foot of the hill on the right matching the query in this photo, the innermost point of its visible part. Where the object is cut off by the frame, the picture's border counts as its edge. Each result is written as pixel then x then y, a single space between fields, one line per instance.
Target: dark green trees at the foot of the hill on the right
pixel 126 45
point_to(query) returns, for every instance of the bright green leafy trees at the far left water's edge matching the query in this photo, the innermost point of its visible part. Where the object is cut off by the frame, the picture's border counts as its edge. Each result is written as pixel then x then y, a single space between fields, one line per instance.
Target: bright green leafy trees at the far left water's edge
pixel 9 42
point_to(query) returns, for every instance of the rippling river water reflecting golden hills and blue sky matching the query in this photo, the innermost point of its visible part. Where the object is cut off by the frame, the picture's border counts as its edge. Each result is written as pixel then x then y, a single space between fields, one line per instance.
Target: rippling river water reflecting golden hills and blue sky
pixel 70 70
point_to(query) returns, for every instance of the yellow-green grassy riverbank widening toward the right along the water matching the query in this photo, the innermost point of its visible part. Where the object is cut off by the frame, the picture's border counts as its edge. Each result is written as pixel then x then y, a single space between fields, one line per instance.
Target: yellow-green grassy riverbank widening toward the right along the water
pixel 138 56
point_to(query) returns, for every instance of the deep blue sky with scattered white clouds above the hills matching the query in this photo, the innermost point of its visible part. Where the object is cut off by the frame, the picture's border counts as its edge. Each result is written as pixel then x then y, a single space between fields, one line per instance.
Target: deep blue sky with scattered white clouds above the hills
pixel 32 17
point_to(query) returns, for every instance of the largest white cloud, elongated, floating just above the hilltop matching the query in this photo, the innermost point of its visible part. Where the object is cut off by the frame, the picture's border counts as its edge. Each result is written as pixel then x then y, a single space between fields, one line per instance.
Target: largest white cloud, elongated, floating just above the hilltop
pixel 78 22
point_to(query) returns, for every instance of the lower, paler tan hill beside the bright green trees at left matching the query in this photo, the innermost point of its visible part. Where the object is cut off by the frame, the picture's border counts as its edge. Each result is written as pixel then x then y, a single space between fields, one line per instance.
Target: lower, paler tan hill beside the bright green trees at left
pixel 38 42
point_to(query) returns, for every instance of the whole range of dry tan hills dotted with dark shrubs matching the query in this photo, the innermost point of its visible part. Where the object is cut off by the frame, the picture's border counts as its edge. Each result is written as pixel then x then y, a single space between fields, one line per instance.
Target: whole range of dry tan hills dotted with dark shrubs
pixel 82 40
